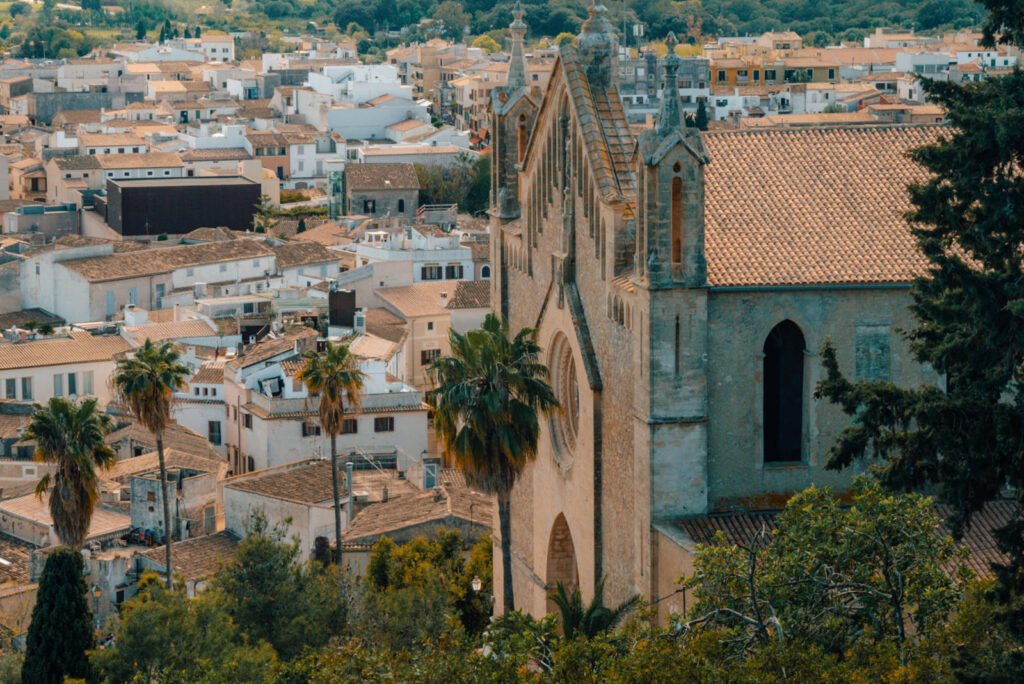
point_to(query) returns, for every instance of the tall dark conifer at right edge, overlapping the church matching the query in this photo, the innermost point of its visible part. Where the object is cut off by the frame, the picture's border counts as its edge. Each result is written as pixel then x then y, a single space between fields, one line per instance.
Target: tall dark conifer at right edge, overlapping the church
pixel 963 440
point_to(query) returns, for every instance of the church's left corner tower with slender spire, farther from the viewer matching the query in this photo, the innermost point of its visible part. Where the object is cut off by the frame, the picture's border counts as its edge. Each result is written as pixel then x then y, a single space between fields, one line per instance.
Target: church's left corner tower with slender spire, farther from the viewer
pixel 514 110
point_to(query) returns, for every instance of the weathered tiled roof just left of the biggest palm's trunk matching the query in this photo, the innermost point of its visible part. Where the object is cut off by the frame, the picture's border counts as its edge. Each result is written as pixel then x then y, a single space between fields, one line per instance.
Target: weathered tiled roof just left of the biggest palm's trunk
pixel 443 505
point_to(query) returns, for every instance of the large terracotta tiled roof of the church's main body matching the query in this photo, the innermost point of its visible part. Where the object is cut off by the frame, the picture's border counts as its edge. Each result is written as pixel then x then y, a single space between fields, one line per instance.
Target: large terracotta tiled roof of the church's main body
pixel 812 206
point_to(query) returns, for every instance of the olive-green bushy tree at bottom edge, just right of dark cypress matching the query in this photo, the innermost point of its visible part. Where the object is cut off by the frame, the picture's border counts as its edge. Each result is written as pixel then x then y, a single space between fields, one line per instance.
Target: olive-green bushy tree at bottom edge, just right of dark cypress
pixel 162 636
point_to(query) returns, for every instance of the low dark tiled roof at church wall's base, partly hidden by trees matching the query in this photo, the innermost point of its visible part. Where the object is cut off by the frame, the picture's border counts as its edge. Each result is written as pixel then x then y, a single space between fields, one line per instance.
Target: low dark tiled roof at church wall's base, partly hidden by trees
pixel 742 528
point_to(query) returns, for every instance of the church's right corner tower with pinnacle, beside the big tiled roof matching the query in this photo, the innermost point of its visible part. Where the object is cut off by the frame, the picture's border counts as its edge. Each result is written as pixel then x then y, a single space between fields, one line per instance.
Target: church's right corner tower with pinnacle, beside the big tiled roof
pixel 670 274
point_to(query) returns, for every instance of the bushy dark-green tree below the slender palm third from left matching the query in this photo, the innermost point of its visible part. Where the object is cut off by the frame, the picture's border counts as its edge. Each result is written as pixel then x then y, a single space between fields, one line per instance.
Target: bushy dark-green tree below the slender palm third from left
pixel 274 597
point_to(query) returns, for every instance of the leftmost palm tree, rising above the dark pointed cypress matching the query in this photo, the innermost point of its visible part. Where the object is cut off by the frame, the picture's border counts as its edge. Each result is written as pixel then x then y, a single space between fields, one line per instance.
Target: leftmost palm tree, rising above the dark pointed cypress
pixel 72 437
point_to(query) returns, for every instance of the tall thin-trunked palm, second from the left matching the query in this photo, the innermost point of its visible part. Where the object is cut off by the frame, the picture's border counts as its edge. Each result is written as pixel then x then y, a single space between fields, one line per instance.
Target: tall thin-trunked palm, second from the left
pixel 146 383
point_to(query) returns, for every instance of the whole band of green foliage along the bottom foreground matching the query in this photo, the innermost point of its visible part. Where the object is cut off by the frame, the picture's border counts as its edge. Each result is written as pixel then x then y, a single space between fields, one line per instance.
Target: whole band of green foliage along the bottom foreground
pixel 812 602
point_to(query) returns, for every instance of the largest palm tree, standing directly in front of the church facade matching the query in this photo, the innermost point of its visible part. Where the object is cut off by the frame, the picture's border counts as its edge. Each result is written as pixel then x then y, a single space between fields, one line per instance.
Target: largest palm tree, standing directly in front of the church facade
pixel 486 400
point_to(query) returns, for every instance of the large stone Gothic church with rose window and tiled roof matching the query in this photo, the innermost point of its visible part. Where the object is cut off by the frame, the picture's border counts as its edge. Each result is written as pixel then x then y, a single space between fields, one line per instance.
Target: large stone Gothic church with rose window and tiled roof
pixel 682 285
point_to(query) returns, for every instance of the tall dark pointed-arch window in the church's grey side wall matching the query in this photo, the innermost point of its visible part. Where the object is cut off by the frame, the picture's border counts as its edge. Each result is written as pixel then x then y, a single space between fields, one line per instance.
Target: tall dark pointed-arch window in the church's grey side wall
pixel 784 394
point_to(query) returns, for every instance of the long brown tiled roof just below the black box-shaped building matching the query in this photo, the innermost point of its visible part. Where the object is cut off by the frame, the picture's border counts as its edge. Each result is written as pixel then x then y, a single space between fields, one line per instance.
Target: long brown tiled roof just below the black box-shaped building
pixel 133 265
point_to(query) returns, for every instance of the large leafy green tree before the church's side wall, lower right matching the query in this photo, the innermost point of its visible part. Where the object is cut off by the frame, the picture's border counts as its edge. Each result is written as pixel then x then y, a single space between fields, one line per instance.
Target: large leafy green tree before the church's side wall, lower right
pixel 834 576
